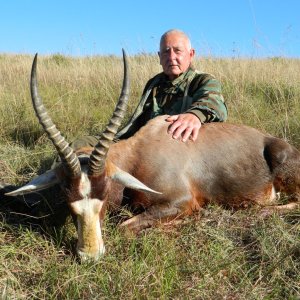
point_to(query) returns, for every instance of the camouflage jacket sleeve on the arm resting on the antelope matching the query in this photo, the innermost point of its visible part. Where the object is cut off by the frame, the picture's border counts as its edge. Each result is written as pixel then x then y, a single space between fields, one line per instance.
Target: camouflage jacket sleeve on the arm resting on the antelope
pixel 207 99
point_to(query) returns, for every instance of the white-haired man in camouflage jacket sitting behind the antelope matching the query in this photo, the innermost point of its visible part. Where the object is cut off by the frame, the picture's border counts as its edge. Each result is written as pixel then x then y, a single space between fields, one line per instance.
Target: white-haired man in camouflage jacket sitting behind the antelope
pixel 189 97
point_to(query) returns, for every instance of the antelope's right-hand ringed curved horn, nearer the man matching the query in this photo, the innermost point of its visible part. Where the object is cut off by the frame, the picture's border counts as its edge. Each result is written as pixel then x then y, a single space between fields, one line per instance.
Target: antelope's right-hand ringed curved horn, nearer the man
pixel 97 159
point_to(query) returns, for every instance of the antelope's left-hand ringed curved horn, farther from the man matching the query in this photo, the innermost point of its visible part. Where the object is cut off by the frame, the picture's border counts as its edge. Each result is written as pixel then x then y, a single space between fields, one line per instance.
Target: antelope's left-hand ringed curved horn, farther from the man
pixel 69 158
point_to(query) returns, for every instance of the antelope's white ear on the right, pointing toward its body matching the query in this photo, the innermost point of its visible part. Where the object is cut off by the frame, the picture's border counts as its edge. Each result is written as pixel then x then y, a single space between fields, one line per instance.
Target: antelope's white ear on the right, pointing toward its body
pixel 128 180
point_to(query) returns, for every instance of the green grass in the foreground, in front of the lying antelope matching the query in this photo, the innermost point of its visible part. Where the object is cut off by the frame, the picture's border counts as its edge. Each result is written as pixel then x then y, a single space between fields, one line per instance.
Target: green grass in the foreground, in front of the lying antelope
pixel 222 254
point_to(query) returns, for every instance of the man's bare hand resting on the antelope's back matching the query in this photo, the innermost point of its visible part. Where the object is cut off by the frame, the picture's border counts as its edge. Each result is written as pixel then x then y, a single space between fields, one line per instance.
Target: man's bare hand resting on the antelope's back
pixel 184 125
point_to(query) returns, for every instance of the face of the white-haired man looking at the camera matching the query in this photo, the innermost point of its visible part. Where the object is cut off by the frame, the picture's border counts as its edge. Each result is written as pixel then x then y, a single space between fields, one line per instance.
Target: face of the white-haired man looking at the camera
pixel 175 55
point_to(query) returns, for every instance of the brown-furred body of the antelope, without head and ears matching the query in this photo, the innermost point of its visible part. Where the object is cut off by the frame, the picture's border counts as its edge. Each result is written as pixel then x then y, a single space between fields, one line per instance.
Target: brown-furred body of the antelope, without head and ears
pixel 233 165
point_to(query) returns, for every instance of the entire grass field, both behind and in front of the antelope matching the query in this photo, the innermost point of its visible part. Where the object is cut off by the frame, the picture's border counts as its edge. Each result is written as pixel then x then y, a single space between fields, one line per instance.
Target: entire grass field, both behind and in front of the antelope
pixel 216 254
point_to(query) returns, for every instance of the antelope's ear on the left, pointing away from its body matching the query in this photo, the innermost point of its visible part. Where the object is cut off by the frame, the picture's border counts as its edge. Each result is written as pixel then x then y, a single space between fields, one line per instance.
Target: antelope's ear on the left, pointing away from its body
pixel 39 183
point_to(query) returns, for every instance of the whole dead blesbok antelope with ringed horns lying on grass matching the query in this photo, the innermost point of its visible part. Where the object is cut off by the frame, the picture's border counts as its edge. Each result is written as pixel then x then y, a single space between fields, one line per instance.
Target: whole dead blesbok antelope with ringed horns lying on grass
pixel 233 165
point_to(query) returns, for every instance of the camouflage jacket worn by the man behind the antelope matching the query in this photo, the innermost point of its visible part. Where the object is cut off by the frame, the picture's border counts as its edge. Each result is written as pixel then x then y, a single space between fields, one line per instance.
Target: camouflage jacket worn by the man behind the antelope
pixel 193 92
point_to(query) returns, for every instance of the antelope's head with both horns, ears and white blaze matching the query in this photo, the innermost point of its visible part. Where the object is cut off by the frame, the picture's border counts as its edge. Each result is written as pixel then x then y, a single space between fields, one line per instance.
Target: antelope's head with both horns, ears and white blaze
pixel 87 178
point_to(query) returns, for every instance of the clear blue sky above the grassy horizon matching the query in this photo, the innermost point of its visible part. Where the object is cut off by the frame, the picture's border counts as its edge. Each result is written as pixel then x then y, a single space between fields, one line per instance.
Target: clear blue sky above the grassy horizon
pixel 228 28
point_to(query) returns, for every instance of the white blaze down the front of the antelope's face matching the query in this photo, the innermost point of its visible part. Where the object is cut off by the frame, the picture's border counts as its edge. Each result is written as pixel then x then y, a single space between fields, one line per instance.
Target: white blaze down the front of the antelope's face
pixel 90 243
